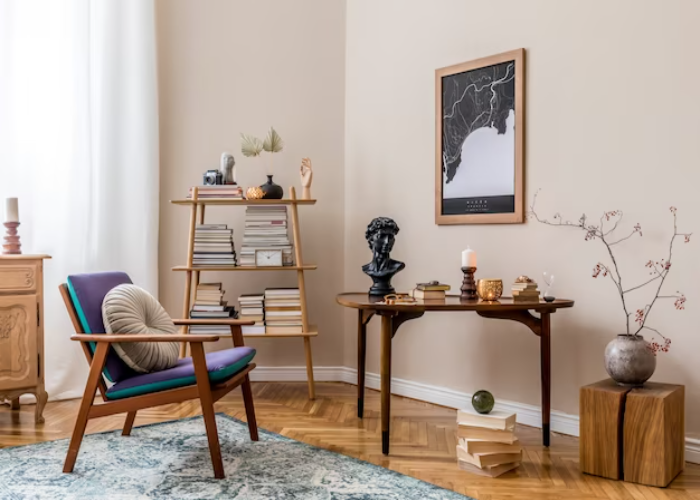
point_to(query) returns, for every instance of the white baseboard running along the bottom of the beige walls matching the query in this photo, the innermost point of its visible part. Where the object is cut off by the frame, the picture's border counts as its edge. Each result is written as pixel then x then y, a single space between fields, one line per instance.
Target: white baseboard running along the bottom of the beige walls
pixel 529 415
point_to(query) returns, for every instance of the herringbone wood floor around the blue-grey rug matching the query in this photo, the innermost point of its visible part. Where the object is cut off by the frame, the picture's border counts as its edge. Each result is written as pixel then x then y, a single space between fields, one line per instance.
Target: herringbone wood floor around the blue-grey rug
pixel 423 441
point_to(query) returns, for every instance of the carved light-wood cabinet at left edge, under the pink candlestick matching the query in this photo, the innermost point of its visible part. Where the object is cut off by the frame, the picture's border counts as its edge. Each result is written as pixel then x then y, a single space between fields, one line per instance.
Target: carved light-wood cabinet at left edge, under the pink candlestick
pixel 22 330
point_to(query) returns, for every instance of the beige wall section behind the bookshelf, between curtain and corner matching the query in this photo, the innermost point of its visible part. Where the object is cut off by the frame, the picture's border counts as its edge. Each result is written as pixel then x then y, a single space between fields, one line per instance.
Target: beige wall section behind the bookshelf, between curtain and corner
pixel 227 67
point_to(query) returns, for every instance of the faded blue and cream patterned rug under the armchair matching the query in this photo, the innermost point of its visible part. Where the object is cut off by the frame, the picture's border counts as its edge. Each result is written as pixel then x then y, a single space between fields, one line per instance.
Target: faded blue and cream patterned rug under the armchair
pixel 171 460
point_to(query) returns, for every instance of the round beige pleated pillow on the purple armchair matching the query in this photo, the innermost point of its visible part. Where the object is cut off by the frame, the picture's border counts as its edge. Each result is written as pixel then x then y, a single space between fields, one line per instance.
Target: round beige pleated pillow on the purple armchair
pixel 128 309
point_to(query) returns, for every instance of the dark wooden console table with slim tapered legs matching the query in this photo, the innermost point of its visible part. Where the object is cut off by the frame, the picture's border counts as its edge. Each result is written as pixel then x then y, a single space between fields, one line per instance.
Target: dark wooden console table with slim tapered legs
pixel 395 315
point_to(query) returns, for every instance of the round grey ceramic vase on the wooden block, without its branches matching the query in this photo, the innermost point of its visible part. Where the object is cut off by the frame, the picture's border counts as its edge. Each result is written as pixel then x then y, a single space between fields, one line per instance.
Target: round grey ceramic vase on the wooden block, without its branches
pixel 629 360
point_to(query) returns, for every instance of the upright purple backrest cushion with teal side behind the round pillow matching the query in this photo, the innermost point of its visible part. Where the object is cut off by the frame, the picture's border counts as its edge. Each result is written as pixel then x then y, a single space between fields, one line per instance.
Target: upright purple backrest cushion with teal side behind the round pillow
pixel 87 292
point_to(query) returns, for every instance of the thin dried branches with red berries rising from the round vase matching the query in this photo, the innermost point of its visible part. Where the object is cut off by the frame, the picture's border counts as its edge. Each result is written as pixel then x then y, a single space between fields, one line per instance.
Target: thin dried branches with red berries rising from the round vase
pixel 603 230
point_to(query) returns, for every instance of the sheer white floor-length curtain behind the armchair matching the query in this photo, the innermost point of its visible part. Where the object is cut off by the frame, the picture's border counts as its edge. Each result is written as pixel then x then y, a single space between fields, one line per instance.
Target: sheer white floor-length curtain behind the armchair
pixel 79 148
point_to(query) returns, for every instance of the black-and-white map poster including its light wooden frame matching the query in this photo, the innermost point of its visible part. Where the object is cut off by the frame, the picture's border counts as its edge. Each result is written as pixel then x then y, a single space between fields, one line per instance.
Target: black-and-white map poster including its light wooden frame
pixel 479 122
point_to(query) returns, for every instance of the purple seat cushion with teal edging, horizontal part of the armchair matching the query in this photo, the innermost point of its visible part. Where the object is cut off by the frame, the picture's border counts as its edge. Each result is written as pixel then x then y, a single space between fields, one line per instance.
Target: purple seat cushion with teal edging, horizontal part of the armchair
pixel 222 365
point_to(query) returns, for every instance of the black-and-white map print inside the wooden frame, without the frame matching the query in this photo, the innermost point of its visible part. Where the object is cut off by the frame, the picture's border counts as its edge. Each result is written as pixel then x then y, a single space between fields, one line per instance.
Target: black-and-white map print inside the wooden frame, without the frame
pixel 478 140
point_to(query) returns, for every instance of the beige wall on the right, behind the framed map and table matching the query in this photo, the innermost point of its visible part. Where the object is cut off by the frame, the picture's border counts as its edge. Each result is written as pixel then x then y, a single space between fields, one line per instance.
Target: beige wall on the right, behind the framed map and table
pixel 612 122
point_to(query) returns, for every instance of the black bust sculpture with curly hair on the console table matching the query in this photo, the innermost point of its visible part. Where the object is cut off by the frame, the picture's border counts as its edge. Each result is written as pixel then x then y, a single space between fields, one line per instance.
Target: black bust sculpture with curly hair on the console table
pixel 380 236
